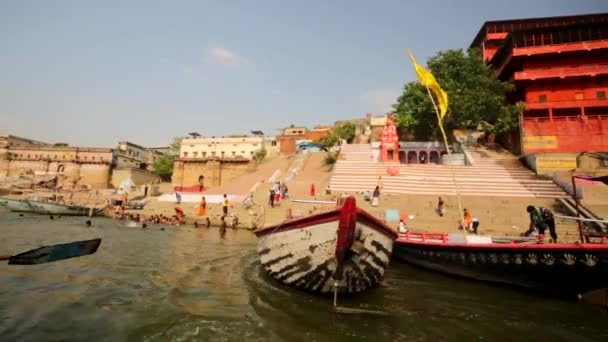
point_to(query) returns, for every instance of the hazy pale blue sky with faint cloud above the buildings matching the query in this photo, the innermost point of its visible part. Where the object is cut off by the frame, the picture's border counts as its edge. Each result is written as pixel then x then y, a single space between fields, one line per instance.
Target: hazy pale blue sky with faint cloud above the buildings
pixel 92 73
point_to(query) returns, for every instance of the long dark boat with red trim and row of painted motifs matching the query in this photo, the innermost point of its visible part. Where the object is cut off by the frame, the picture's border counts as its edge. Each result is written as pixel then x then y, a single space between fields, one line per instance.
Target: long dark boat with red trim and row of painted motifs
pixel 564 269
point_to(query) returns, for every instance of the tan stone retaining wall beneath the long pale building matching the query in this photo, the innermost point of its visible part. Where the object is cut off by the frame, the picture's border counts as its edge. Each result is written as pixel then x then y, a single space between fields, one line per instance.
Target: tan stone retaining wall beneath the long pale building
pixel 216 172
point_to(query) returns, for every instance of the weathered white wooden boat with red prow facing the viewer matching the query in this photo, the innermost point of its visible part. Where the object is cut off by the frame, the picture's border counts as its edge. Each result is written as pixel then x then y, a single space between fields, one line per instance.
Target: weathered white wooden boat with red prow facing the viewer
pixel 345 250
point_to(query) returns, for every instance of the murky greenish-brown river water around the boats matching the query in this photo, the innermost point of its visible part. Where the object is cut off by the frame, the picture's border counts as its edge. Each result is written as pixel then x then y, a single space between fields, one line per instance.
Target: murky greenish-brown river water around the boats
pixel 187 284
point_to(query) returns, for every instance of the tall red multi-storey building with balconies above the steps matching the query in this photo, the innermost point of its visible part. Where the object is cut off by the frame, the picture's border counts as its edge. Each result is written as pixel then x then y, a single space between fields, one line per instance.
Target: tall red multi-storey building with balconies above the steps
pixel 560 69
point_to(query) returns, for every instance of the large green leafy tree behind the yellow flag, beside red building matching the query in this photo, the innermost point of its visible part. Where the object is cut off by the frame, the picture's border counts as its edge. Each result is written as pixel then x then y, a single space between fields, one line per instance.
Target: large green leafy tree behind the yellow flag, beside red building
pixel 474 91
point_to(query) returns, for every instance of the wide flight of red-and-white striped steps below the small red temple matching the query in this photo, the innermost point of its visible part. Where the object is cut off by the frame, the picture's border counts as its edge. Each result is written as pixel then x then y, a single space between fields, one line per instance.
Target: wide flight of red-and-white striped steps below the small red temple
pixel 494 173
